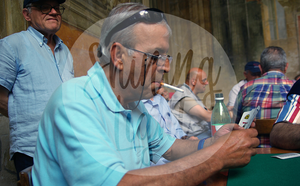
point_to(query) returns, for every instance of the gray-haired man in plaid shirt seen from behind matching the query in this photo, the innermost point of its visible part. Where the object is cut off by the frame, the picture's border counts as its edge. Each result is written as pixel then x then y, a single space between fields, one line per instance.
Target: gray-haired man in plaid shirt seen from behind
pixel 269 91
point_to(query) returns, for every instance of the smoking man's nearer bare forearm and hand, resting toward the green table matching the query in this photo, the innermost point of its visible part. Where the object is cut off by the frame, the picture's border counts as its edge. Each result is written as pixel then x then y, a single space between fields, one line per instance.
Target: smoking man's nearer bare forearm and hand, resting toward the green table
pixel 231 150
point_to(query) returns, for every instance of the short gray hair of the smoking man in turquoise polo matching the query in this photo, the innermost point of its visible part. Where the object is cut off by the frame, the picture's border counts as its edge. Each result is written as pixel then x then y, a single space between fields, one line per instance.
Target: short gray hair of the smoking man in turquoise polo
pixel 125 36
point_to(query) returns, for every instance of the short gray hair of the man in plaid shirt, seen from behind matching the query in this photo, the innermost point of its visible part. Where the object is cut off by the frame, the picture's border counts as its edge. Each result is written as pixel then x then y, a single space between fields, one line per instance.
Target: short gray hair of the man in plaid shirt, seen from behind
pixel 273 57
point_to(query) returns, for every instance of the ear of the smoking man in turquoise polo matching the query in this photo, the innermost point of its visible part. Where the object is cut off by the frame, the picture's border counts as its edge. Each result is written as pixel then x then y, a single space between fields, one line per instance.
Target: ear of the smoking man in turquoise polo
pixel 116 55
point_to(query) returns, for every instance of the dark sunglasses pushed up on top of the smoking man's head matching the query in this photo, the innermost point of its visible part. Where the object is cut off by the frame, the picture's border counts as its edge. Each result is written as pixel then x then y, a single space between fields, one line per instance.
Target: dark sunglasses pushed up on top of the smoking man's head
pixel 150 15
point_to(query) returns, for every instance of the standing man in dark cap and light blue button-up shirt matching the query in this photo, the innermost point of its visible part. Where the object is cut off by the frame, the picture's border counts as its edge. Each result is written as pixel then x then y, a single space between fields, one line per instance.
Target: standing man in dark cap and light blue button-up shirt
pixel 33 63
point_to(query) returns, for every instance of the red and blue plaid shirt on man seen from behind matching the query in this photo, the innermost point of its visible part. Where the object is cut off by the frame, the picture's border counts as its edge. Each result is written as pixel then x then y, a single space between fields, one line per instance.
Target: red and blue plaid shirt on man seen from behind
pixel 269 92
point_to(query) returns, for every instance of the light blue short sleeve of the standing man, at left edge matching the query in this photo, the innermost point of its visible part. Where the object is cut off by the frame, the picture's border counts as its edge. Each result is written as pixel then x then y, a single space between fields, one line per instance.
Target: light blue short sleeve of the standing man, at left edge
pixel 8 65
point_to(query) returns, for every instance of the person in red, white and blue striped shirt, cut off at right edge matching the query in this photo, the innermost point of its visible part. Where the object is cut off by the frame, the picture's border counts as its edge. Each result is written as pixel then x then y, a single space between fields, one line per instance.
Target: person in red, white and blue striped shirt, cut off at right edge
pixel 285 132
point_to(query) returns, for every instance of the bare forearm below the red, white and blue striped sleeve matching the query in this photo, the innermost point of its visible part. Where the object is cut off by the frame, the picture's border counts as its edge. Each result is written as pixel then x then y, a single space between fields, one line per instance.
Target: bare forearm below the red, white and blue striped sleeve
pixel 285 135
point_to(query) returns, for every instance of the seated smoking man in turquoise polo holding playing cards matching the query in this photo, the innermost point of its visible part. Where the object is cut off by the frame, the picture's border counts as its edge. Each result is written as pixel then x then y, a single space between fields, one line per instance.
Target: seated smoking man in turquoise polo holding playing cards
pixel 95 130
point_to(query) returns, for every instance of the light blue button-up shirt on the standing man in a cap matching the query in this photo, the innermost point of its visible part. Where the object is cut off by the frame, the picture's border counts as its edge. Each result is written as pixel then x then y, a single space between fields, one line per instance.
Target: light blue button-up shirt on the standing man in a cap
pixel 31 73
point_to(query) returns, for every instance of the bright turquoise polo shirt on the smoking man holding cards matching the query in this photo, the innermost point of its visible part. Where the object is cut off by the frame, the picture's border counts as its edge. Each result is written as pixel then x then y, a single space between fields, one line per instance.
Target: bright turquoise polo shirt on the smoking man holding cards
pixel 86 137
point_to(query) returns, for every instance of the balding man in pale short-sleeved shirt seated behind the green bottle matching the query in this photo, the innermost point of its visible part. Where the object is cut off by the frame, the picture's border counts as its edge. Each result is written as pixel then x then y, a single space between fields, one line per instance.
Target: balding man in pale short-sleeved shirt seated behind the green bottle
pixel 188 108
